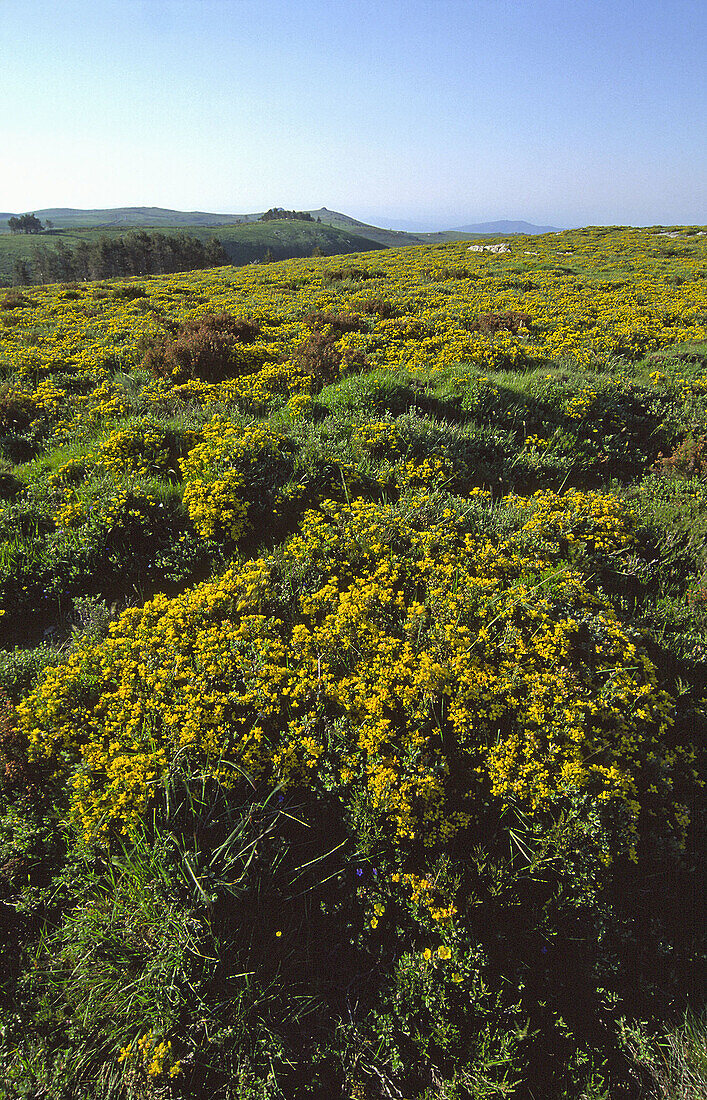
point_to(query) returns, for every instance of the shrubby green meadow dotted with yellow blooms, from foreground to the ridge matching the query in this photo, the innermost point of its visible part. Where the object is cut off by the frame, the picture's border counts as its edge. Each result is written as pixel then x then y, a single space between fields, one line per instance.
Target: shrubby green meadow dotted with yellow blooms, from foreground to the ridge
pixel 352 681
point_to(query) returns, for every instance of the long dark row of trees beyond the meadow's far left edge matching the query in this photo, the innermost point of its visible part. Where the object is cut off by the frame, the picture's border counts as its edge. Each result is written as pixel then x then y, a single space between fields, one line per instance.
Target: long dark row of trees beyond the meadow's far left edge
pixel 138 254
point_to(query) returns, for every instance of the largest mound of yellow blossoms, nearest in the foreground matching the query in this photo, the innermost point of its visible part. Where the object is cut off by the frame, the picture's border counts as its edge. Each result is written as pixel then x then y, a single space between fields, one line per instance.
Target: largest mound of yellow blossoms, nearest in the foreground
pixel 455 668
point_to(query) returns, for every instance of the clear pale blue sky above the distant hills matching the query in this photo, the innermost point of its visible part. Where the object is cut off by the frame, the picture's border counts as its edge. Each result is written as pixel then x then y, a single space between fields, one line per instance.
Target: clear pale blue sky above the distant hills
pixel 426 114
